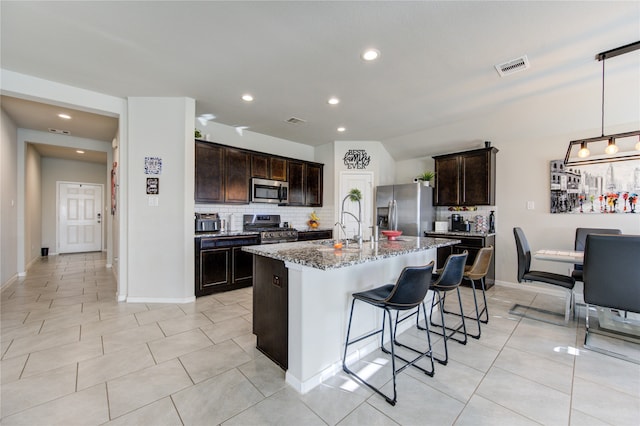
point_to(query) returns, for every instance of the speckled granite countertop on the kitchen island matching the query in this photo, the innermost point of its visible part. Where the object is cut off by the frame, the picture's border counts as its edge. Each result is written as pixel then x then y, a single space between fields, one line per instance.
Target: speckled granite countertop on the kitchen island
pixel 320 254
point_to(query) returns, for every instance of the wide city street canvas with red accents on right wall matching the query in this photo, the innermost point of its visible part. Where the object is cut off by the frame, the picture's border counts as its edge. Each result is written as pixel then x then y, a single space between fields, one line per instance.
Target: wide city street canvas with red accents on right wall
pixel 595 188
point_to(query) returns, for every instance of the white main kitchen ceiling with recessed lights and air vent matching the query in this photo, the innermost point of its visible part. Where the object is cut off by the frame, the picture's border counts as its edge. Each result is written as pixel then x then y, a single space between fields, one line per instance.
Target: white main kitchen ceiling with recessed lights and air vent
pixel 436 65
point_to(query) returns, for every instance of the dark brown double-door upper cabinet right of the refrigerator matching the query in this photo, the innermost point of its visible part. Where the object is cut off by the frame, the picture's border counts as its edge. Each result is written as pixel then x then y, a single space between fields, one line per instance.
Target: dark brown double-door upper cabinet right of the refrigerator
pixel 466 178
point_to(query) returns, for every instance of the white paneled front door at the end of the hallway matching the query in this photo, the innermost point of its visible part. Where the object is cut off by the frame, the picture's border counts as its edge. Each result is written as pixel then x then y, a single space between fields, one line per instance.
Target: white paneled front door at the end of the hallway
pixel 79 217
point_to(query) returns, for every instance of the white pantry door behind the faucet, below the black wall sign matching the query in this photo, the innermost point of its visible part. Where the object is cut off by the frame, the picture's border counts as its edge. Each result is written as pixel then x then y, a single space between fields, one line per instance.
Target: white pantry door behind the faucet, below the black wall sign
pixel 364 182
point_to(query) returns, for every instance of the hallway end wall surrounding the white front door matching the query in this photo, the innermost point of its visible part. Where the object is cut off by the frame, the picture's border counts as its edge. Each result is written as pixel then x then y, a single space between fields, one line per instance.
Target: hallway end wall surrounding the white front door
pixel 57 169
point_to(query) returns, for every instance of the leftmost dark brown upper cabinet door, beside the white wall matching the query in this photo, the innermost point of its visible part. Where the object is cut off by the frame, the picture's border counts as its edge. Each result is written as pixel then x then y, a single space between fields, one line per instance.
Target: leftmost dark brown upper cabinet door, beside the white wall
pixel 209 172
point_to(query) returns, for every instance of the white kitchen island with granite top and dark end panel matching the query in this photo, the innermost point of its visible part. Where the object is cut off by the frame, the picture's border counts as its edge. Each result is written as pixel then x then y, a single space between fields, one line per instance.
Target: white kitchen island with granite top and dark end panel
pixel 302 296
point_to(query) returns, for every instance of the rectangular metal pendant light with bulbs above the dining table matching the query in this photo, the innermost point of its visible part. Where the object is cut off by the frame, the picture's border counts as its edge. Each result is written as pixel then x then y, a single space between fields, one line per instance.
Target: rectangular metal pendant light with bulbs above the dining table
pixel 606 148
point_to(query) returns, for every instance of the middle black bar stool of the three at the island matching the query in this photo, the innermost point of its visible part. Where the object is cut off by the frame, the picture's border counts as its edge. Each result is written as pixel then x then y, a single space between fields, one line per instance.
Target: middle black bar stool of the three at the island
pixel 448 280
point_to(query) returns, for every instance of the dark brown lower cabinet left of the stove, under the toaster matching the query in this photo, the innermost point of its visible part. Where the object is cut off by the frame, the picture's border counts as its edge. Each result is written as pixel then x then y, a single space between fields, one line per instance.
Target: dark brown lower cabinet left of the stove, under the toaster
pixel 221 265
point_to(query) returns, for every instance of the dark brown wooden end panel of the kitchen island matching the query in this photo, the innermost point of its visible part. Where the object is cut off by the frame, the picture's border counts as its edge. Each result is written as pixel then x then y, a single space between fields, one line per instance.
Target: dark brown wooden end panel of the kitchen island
pixel 270 309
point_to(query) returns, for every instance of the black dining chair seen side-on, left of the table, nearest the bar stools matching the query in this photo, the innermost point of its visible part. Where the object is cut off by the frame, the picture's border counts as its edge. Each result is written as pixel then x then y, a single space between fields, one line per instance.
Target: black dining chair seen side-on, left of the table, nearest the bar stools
pixel 525 274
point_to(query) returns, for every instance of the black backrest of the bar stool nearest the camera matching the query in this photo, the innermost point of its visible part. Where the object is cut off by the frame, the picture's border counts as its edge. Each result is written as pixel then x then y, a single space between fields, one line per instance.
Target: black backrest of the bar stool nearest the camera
pixel 411 287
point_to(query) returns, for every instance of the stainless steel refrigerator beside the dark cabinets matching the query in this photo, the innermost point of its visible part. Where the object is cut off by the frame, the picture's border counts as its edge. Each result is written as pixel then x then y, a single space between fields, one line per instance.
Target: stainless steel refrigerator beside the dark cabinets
pixel 407 208
